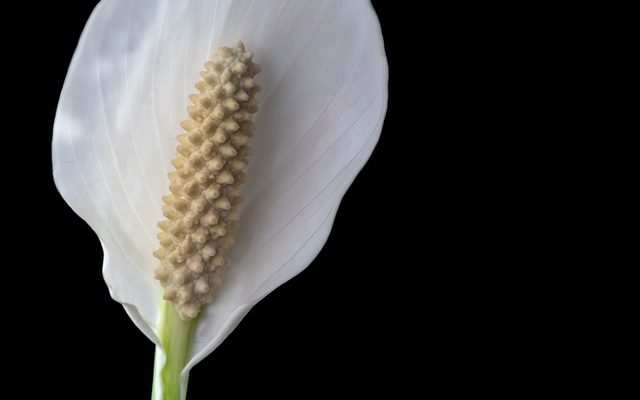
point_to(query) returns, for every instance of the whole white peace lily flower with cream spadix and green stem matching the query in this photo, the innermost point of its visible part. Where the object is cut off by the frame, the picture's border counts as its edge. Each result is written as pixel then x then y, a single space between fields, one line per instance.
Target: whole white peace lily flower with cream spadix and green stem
pixel 322 105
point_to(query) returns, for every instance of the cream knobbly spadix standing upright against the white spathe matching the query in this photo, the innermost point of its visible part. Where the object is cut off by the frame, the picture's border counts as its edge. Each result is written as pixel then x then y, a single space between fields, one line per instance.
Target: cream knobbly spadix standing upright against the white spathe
pixel 210 164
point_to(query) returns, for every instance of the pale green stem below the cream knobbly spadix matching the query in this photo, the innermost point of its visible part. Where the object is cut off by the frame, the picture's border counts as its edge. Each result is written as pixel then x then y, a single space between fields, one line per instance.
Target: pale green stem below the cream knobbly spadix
pixel 175 335
